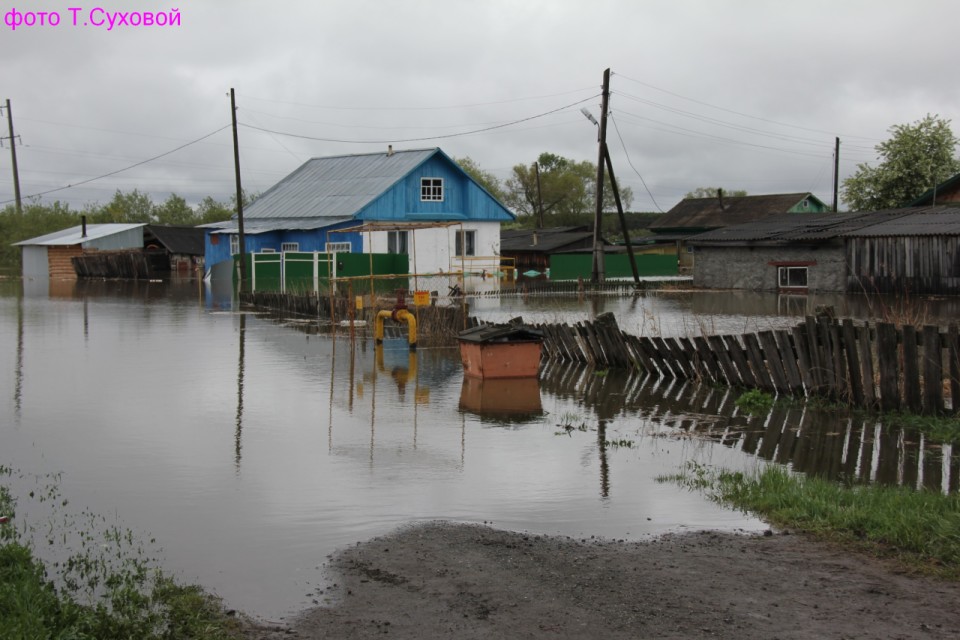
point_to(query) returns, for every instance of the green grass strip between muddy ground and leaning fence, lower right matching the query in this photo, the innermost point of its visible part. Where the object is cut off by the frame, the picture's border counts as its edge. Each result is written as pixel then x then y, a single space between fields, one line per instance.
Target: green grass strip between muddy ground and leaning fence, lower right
pixel 918 529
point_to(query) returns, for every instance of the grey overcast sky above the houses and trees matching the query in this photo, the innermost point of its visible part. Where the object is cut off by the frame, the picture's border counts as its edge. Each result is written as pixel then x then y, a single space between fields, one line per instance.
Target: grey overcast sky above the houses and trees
pixel 744 94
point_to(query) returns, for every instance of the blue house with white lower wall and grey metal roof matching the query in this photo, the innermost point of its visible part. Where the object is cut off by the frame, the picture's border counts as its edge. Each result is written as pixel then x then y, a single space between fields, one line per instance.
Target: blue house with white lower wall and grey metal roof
pixel 416 202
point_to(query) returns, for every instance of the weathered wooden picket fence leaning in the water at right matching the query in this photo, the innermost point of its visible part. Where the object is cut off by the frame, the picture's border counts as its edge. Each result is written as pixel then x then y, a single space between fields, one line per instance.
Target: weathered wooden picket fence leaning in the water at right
pixel 879 366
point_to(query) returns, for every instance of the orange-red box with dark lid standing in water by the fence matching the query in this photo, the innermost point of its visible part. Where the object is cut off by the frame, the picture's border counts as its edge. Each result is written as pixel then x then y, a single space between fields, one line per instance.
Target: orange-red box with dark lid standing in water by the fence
pixel 501 351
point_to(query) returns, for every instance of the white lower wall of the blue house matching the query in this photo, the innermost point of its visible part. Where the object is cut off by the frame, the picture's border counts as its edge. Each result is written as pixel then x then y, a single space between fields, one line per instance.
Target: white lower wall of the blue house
pixel 434 248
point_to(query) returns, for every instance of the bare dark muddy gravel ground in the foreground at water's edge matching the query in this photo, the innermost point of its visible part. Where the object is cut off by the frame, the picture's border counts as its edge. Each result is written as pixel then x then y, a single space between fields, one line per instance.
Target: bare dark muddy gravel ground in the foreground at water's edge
pixel 442 580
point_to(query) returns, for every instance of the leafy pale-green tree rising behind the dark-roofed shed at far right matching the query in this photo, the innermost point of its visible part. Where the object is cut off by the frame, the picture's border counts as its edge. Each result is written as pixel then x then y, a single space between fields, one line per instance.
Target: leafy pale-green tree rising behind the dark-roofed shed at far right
pixel 915 158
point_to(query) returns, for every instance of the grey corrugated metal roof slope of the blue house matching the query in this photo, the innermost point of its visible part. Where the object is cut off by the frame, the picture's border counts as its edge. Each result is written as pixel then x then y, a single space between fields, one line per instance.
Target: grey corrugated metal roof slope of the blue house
pixel 335 187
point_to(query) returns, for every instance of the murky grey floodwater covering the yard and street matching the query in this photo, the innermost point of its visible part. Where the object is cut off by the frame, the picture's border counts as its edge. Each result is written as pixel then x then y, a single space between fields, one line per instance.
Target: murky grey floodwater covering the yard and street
pixel 251 450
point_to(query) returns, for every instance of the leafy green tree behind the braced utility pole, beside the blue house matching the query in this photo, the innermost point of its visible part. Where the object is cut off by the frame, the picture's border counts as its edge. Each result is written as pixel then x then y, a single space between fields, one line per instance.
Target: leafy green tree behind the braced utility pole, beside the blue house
pixel 567 190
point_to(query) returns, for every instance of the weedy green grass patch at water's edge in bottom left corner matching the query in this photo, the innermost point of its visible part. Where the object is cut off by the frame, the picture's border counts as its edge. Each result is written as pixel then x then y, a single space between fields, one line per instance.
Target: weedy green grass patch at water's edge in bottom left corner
pixel 100 583
